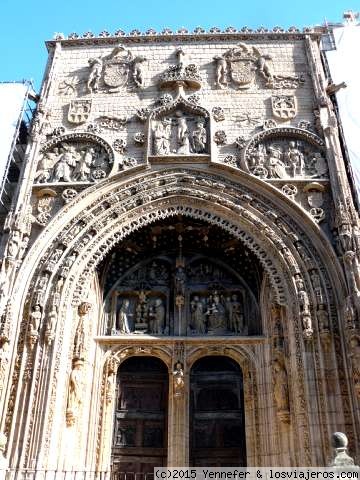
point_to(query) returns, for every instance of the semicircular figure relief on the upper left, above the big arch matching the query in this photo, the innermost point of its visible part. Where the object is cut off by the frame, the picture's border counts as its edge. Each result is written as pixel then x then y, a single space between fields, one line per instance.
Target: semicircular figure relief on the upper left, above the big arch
pixel 73 161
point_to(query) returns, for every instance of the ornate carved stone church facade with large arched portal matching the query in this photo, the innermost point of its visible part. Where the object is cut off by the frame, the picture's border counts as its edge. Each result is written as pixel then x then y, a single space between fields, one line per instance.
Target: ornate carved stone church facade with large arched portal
pixel 180 275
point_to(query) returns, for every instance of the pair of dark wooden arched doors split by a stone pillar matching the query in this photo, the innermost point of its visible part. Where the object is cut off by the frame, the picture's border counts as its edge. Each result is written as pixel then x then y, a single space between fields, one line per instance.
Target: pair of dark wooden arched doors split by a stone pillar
pixel 216 420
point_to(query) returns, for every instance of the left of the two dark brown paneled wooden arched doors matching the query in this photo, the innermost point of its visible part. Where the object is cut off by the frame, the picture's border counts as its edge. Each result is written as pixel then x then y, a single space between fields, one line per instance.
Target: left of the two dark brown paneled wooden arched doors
pixel 140 419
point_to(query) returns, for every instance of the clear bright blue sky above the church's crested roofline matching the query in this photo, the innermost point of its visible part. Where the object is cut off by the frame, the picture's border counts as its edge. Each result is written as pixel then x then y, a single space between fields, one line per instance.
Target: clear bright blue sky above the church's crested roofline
pixel 25 25
